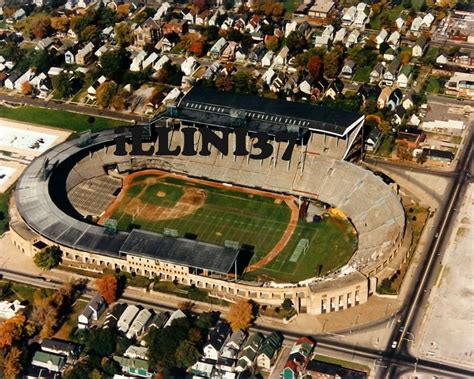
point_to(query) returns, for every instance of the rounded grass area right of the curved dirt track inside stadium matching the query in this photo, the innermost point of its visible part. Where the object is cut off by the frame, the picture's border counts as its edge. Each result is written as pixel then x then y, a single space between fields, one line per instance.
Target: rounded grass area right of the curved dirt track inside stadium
pixel 331 244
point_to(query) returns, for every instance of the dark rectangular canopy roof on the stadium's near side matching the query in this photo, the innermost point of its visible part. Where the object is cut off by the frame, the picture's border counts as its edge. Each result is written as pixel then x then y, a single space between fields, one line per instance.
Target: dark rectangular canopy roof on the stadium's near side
pixel 180 251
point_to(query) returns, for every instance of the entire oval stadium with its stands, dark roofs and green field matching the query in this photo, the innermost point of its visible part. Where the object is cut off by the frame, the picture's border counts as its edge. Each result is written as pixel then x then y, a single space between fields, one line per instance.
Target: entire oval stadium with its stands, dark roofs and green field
pixel 263 229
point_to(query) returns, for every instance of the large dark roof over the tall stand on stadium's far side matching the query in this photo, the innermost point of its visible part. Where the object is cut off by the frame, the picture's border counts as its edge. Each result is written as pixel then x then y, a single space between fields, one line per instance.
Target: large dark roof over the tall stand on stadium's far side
pixel 210 106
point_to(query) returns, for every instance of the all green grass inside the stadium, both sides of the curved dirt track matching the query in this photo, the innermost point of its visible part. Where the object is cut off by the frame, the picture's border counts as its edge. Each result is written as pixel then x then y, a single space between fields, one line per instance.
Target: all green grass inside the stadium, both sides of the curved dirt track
pixel 214 214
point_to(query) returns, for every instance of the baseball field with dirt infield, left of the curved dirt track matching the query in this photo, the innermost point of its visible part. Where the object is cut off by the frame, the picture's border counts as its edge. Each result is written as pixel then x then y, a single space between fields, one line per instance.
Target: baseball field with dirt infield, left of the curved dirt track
pixel 222 214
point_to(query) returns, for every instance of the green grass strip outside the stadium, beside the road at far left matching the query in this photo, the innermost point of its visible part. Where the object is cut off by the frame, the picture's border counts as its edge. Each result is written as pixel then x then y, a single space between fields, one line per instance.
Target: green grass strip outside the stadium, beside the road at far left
pixel 58 118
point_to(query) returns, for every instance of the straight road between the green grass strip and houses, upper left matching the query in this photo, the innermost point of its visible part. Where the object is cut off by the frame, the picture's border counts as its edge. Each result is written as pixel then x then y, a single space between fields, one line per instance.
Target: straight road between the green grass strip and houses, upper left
pixel 93 111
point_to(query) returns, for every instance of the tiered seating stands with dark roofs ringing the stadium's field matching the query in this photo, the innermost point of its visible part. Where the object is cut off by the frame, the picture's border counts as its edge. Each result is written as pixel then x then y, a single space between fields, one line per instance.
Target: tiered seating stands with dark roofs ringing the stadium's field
pixel 316 170
